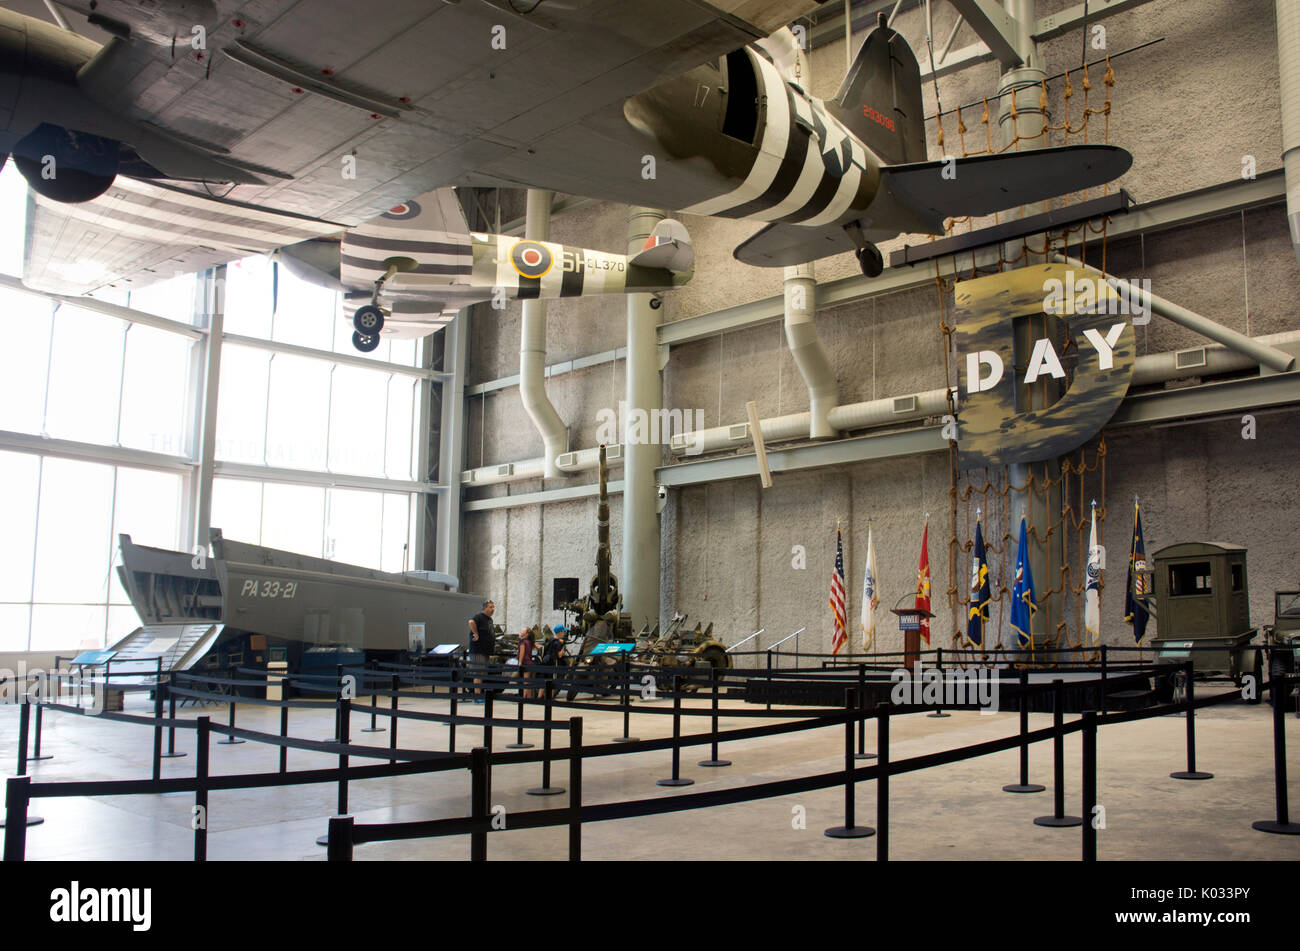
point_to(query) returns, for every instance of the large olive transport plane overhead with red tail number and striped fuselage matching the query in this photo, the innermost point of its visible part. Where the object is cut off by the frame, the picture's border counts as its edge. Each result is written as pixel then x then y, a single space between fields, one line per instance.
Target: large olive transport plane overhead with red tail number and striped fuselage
pixel 675 105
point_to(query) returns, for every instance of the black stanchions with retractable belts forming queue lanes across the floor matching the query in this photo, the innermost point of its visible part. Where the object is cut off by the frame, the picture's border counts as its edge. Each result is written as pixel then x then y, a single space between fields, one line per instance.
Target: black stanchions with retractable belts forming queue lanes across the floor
pixel 346 833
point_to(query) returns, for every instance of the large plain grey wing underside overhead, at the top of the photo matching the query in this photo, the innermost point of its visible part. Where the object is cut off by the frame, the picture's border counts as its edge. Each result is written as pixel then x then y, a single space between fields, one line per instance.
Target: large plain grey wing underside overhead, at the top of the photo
pixel 346 108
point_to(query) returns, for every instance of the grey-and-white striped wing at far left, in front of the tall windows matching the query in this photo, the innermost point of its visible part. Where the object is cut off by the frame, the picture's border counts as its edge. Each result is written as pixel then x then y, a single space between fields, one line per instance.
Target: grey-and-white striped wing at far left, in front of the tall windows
pixel 140 233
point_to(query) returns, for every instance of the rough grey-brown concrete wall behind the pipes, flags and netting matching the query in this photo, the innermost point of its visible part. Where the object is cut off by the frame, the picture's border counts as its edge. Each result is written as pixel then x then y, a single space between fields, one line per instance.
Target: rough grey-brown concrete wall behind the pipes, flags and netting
pixel 1189 110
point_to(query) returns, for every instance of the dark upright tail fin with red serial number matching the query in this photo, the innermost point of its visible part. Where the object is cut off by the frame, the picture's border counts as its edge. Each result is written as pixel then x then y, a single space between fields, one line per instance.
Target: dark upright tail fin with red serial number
pixel 881 98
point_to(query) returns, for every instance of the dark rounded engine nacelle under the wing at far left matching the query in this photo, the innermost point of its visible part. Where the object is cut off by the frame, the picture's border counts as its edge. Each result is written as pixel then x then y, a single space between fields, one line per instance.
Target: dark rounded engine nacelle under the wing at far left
pixel 67 166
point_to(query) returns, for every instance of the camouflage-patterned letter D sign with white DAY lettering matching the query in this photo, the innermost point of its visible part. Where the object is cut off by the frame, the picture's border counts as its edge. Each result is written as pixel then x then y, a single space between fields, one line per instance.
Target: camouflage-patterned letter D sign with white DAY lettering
pixel 994 429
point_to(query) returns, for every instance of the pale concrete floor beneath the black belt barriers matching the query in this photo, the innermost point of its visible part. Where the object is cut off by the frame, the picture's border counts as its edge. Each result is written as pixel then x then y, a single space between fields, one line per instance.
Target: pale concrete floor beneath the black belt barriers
pixel 956 813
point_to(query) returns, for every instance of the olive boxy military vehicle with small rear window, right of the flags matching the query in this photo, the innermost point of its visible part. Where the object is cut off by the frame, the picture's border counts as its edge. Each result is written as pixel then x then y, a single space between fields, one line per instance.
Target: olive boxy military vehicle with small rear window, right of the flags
pixel 1204 611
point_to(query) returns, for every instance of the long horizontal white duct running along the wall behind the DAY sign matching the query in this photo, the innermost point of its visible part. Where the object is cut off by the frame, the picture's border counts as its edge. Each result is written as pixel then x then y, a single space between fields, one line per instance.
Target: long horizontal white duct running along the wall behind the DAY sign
pixel 1155 368
